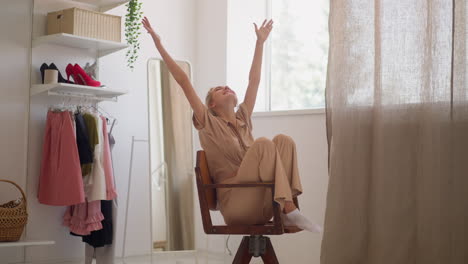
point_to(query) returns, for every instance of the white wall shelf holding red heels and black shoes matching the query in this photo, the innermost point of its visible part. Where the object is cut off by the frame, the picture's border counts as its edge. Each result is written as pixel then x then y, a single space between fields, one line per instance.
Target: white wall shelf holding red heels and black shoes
pixel 79 91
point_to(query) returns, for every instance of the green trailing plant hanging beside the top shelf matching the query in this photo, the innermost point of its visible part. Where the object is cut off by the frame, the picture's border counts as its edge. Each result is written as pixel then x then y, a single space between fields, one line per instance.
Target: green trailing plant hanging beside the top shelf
pixel 132 31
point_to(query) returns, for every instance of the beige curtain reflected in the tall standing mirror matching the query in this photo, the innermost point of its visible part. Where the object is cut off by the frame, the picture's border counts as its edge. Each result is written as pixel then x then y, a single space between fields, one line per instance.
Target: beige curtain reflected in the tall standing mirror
pixel 178 156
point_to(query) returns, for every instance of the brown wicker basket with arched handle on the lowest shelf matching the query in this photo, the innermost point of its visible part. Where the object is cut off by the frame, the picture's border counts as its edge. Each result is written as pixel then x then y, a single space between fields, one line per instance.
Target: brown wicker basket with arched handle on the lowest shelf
pixel 13 217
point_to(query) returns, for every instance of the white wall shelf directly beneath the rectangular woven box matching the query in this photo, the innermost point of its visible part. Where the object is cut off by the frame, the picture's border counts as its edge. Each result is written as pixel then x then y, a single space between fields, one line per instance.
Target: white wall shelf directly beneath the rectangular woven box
pixel 103 47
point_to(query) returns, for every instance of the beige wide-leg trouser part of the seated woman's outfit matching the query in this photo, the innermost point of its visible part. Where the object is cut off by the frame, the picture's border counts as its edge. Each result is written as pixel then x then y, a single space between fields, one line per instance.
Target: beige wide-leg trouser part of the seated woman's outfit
pixel 265 161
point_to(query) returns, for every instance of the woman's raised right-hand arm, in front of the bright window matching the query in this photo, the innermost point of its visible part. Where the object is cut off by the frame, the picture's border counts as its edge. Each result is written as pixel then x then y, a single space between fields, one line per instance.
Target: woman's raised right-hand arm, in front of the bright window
pixel 256 68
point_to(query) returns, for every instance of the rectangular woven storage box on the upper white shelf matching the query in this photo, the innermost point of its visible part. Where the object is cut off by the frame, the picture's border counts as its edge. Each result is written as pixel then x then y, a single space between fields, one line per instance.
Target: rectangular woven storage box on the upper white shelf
pixel 85 23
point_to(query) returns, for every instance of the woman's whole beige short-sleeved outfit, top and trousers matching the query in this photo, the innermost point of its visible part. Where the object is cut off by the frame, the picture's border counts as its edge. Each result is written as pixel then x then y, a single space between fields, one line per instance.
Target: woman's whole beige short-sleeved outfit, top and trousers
pixel 234 157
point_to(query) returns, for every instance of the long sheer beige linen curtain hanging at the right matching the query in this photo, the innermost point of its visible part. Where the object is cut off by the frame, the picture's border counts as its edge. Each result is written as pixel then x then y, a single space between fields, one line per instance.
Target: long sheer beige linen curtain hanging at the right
pixel 397 125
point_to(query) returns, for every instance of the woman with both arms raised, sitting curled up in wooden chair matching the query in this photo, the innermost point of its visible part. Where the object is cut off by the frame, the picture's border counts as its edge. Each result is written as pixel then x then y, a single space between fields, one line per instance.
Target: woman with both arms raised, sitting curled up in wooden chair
pixel 232 153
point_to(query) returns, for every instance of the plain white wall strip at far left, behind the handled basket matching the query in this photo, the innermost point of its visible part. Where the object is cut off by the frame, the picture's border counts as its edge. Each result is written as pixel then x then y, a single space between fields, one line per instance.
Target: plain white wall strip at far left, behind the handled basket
pixel 14 100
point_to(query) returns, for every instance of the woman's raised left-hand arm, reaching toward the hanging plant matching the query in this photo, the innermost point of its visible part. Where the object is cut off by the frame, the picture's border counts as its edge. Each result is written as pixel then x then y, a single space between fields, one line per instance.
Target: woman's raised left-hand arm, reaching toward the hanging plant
pixel 179 75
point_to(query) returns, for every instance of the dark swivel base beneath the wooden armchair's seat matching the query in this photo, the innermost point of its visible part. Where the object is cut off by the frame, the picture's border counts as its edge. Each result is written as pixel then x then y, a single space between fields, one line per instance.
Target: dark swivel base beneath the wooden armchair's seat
pixel 255 246
